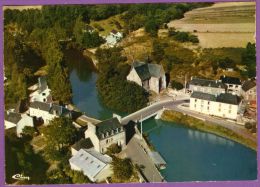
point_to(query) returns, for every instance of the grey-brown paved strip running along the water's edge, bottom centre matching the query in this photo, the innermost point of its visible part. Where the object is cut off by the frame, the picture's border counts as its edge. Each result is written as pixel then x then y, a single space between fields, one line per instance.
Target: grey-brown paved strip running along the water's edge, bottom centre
pixel 140 157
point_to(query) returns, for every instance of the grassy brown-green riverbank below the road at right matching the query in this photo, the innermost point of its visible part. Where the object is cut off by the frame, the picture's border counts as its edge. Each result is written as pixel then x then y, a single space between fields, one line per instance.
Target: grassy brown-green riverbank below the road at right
pixel 194 123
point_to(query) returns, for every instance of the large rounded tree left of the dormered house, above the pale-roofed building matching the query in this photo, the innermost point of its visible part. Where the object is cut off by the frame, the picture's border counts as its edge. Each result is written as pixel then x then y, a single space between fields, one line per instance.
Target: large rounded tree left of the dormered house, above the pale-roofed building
pixel 59 133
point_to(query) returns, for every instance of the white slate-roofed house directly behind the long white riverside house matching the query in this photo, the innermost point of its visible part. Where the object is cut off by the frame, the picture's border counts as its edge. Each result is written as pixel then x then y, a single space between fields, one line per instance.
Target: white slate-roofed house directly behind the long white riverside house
pixel 206 86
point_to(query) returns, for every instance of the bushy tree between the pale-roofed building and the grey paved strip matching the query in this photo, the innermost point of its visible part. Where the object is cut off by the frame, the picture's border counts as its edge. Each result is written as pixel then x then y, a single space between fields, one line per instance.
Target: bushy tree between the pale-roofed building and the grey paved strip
pixel 122 168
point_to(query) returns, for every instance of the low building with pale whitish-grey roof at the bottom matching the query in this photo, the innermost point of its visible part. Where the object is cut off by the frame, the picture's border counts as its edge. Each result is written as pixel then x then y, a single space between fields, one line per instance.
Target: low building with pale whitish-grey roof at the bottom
pixel 92 163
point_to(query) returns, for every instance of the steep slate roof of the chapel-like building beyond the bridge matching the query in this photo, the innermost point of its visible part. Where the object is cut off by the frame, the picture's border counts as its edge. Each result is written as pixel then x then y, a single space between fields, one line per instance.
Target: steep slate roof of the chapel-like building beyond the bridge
pixel 146 71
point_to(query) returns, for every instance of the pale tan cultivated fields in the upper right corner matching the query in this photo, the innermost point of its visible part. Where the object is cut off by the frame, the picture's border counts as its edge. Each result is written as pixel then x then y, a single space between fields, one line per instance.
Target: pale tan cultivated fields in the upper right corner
pixel 221 25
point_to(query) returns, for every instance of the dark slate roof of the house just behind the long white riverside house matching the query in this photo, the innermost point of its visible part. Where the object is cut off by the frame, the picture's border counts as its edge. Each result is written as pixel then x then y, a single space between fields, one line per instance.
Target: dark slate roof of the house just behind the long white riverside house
pixel 207 83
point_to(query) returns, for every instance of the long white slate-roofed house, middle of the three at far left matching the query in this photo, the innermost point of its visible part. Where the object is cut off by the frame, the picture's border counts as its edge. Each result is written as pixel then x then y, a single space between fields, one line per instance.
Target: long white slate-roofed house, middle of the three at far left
pixel 47 111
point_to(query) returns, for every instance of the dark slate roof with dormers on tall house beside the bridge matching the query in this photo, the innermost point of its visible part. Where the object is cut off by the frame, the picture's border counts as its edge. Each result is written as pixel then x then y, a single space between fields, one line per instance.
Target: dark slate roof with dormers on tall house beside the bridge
pixel 110 125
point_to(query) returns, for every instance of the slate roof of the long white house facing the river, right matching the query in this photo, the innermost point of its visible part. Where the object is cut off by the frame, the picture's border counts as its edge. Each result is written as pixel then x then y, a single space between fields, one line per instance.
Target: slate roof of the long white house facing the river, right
pixel 222 98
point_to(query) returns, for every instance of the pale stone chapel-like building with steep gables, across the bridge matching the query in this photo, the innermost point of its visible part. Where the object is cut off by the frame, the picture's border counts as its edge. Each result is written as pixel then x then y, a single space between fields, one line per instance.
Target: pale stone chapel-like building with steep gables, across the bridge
pixel 149 76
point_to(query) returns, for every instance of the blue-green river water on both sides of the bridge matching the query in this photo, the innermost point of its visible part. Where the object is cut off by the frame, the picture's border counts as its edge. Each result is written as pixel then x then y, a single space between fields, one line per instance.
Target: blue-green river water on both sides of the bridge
pixel 191 155
